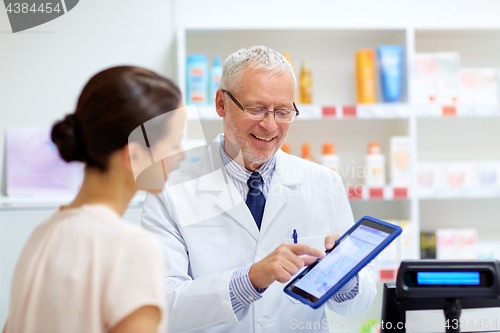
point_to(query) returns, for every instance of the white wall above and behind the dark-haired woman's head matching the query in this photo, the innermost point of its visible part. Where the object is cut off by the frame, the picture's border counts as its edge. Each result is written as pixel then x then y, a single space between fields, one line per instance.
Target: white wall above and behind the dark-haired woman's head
pixel 43 69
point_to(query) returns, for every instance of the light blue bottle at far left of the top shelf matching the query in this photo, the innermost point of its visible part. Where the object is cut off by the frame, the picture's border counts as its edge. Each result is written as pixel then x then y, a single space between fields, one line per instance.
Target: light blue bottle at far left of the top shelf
pixel 197 79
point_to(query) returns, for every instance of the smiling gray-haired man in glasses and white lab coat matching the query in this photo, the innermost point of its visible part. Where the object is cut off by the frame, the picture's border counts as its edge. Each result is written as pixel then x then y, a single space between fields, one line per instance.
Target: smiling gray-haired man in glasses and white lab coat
pixel 226 223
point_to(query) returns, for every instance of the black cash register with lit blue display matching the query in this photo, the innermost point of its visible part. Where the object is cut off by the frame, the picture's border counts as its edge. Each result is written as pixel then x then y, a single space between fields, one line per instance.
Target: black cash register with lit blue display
pixel 447 286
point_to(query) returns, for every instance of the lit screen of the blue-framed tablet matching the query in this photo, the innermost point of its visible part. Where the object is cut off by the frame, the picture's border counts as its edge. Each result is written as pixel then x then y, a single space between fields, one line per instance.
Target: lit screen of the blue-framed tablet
pixel 349 252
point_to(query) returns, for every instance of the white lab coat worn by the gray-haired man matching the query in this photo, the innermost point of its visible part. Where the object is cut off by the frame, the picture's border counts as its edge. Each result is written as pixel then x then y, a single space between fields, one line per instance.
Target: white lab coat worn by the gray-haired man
pixel 207 231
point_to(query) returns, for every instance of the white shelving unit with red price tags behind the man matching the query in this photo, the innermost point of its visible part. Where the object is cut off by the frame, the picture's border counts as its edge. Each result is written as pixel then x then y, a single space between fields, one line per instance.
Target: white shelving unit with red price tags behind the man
pixel 337 118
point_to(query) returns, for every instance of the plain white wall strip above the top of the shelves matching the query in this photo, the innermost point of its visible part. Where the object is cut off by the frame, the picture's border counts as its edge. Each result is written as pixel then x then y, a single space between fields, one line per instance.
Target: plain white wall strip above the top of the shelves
pixel 286 14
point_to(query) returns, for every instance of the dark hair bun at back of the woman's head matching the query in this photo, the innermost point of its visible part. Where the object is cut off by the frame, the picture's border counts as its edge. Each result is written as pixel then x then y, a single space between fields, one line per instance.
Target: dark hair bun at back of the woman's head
pixel 67 135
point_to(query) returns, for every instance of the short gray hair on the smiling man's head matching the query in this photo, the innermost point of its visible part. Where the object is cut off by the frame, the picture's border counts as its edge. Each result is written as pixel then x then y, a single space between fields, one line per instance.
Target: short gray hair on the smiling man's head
pixel 260 57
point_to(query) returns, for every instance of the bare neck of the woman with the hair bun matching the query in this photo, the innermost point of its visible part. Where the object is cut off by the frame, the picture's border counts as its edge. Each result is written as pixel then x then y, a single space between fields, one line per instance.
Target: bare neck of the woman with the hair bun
pixel 108 188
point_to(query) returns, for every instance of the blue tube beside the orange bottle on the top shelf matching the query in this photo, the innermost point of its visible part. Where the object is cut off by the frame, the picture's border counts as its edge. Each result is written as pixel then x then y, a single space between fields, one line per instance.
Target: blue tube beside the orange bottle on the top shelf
pixel 391 71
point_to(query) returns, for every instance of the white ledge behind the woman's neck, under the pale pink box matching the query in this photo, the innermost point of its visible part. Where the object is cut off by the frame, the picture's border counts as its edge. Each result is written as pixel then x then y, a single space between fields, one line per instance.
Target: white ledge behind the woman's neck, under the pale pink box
pixel 51 202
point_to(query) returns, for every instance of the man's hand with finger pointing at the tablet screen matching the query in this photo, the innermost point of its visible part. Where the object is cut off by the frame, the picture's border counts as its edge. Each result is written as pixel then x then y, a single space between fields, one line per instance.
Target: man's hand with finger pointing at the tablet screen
pixel 282 263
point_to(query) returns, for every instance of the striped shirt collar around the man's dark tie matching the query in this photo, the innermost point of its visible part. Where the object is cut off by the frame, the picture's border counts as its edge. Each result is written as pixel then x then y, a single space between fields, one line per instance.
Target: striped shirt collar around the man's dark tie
pixel 239 172
